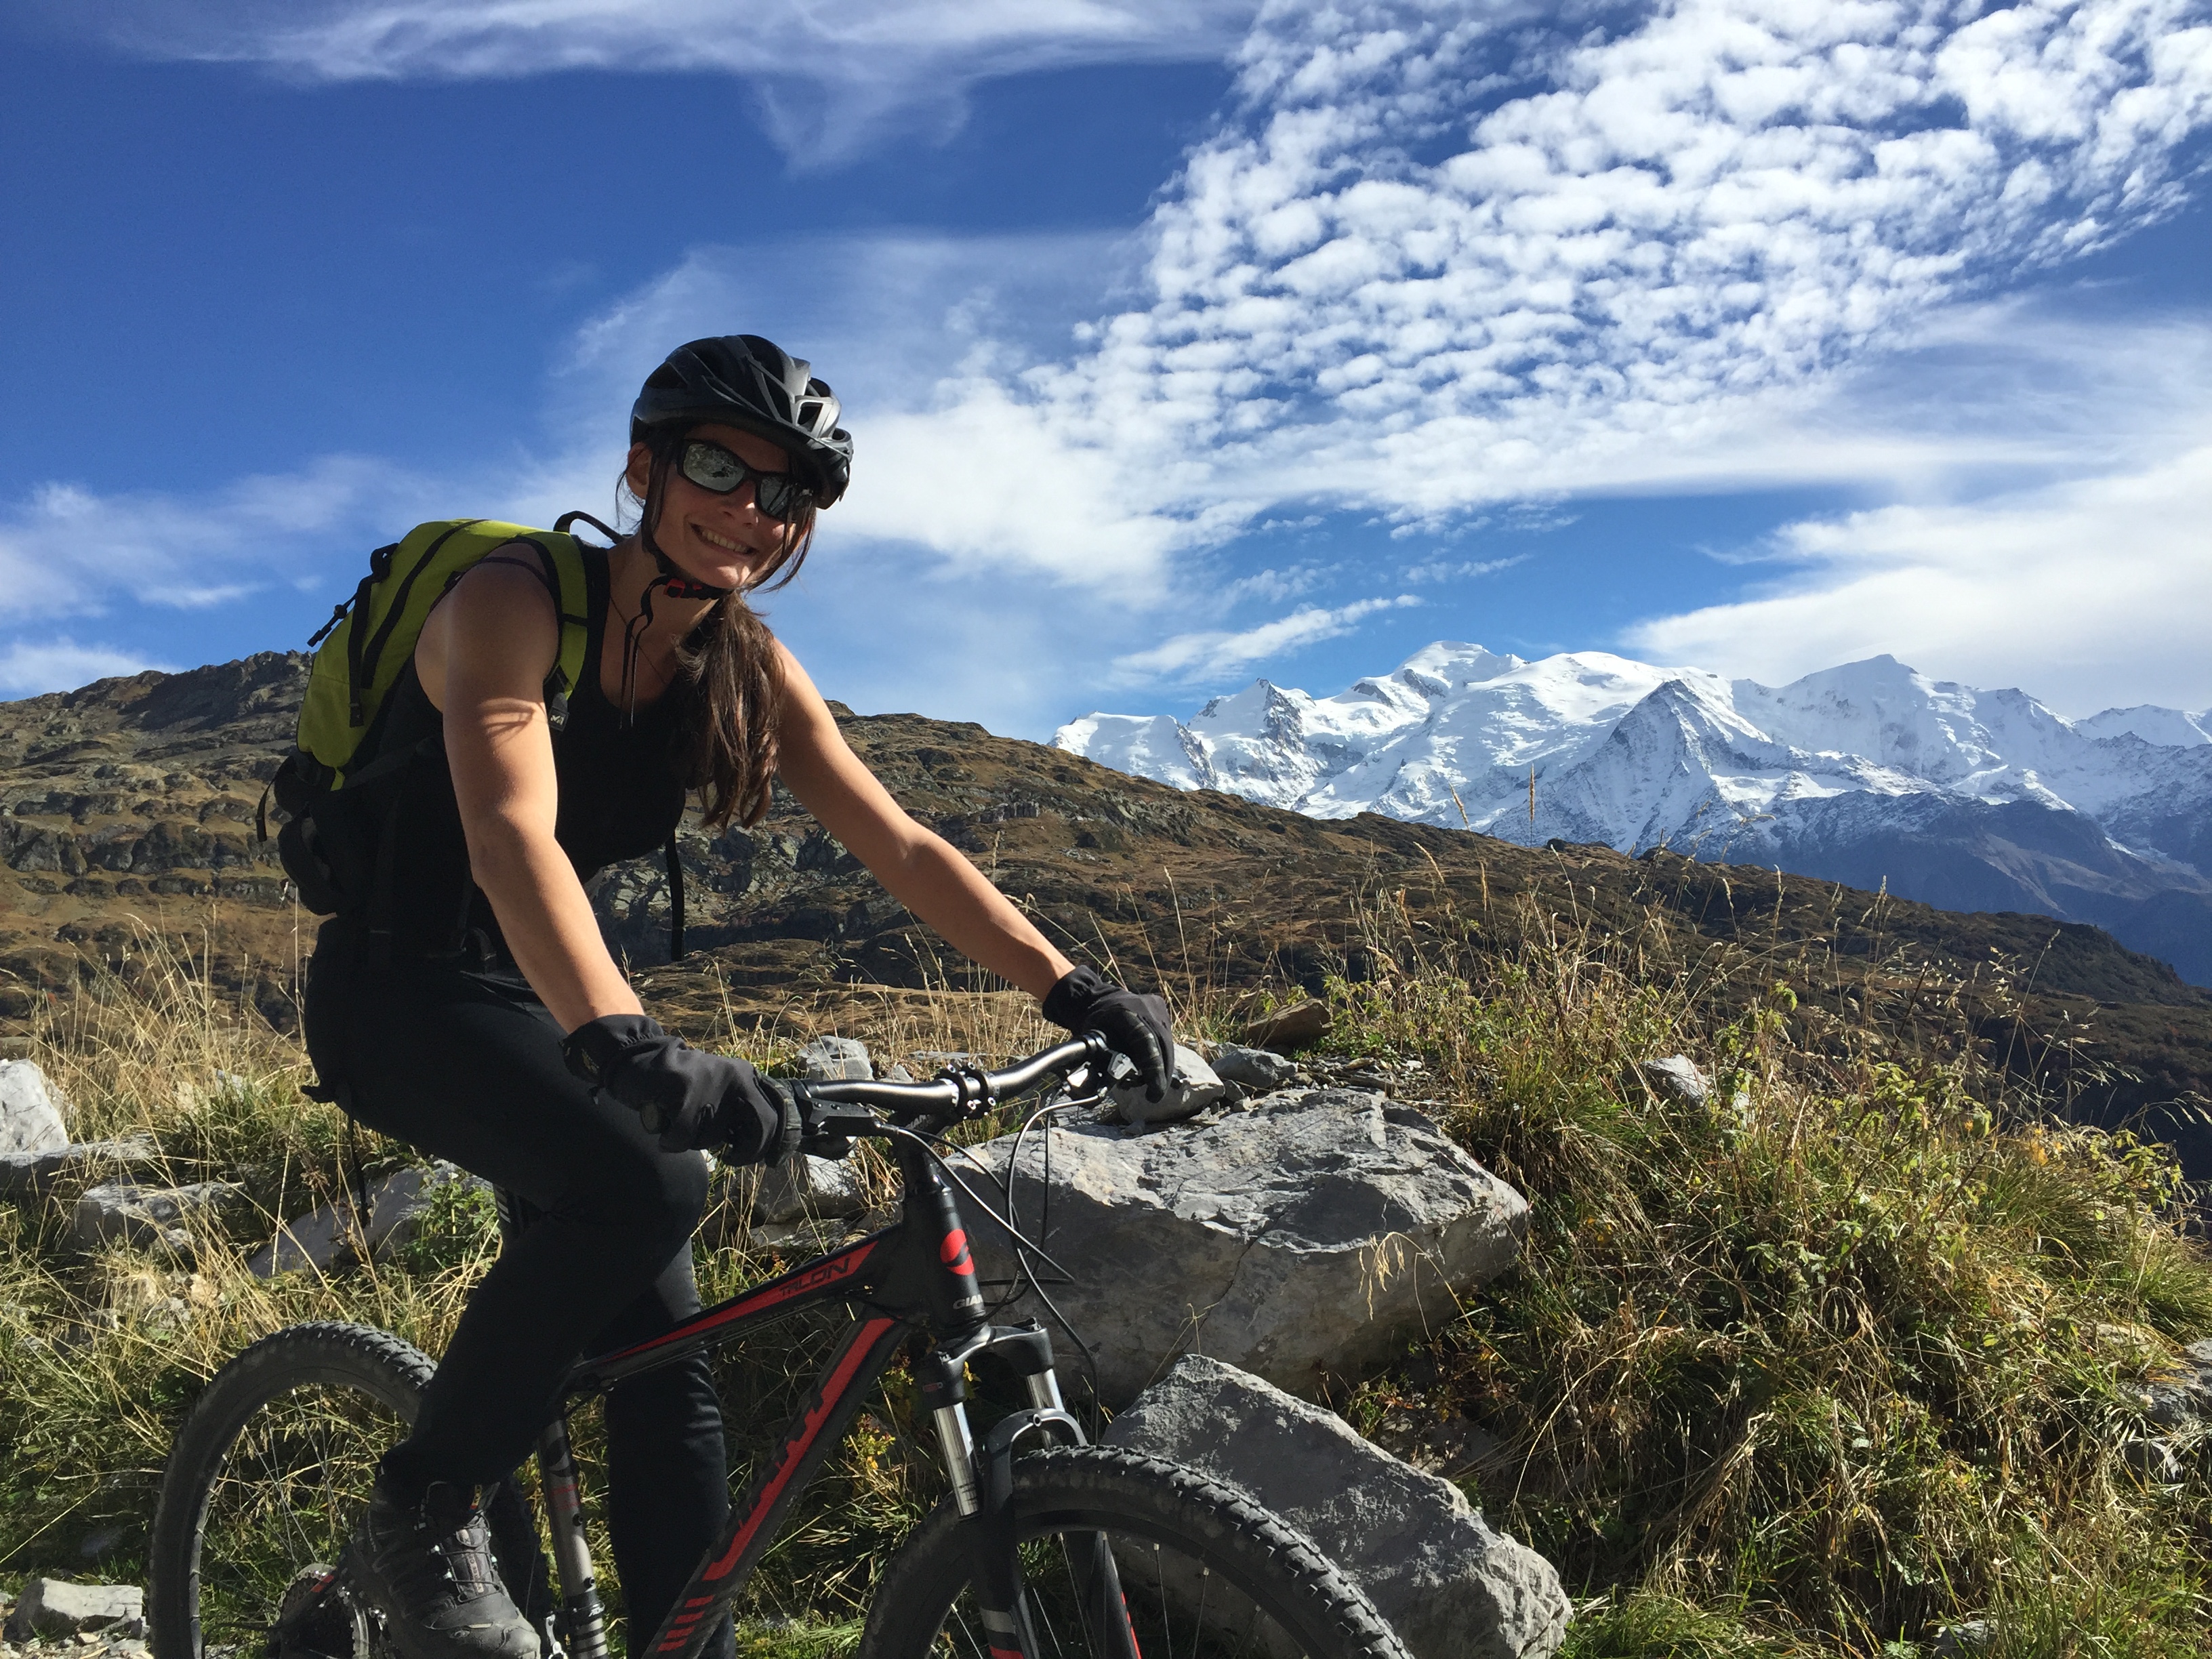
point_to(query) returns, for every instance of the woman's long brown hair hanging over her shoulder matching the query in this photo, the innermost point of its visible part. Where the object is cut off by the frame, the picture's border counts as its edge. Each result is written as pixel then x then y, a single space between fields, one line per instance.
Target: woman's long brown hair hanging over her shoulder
pixel 731 682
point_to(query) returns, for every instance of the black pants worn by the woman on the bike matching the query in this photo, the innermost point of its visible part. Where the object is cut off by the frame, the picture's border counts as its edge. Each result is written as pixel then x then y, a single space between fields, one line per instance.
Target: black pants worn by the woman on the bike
pixel 466 1065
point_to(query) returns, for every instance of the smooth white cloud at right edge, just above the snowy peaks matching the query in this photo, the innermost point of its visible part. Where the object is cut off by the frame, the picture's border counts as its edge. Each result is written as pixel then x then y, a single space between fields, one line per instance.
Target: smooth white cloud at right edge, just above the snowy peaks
pixel 2085 594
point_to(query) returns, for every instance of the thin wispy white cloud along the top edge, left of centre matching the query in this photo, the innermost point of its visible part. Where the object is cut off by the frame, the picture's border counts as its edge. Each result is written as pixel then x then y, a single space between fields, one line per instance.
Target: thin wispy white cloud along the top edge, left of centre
pixel 828 81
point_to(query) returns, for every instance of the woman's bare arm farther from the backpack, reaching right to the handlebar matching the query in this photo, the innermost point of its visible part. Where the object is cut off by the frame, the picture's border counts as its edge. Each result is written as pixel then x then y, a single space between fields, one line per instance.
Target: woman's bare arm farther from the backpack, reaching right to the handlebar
pixel 917 866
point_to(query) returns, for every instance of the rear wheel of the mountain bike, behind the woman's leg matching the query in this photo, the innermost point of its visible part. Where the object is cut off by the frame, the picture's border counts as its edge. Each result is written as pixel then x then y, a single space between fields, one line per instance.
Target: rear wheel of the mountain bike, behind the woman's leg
pixel 269 1479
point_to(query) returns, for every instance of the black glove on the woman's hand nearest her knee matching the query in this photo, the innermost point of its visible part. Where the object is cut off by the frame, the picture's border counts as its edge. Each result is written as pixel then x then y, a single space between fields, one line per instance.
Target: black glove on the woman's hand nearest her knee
pixel 691 1100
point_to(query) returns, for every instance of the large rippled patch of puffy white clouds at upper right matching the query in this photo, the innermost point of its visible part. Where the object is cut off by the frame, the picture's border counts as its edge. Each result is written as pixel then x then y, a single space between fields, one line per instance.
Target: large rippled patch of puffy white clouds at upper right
pixel 1642 275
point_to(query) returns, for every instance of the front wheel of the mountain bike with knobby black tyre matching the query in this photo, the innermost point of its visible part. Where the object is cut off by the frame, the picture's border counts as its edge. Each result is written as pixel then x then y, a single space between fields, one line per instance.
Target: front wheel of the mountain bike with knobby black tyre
pixel 1204 1572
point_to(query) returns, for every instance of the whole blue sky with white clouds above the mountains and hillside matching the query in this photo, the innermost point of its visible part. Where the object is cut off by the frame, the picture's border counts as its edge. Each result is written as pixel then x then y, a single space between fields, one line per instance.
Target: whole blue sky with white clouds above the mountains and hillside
pixel 1180 342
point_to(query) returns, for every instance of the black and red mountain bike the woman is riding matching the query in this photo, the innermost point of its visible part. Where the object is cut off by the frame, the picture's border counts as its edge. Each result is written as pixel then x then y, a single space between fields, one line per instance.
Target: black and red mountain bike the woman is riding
pixel 1047 1547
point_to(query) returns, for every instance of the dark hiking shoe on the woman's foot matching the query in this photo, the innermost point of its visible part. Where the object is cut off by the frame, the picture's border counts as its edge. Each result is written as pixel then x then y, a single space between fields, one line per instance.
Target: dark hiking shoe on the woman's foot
pixel 428 1569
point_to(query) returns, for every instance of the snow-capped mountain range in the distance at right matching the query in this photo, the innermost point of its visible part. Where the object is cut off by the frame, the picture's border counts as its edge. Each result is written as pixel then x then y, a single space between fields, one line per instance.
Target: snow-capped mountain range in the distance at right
pixel 1866 773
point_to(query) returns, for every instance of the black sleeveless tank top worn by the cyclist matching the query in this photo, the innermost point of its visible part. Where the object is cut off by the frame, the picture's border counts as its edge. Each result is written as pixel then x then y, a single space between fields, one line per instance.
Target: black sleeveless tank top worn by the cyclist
pixel 620 795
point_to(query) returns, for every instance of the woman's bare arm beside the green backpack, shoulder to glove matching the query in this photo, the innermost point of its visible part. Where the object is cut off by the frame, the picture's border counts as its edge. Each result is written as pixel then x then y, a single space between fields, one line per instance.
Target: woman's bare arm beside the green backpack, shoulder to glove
pixel 483 660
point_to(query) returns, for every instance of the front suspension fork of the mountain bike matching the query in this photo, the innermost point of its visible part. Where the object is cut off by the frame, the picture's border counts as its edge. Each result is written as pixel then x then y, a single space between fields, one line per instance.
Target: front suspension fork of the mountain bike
pixel 983 1492
